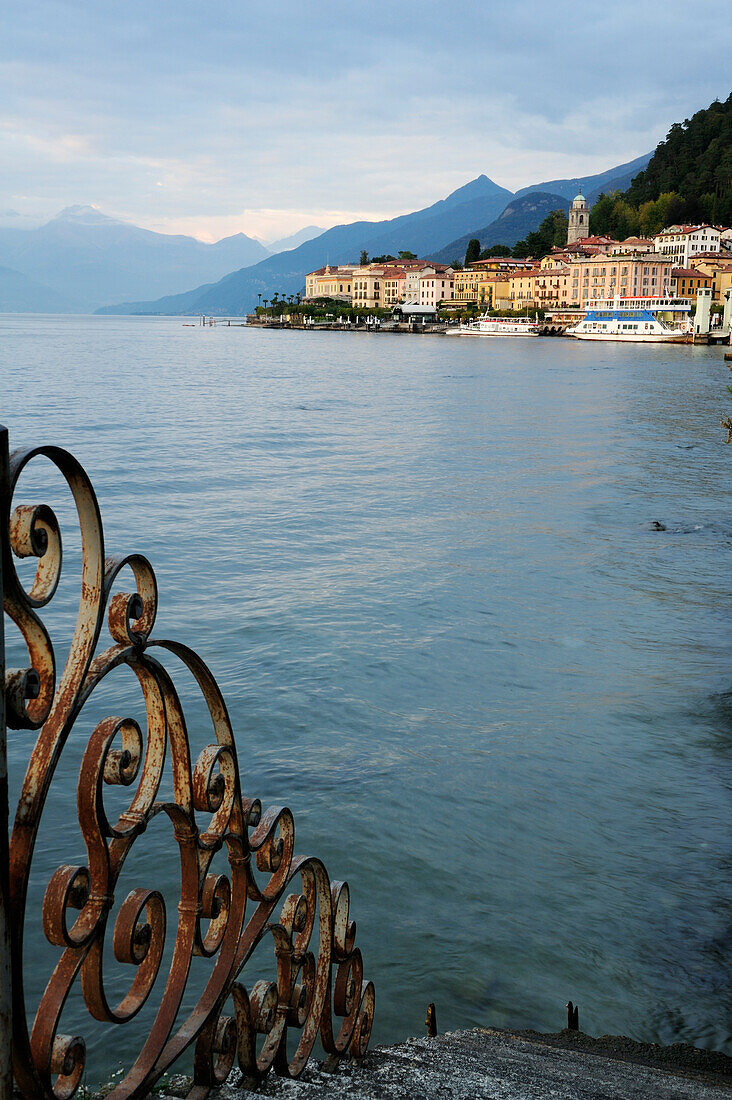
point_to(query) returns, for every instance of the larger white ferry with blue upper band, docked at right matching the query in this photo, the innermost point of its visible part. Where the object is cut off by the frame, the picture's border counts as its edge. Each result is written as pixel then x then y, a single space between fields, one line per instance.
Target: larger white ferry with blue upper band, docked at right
pixel 636 321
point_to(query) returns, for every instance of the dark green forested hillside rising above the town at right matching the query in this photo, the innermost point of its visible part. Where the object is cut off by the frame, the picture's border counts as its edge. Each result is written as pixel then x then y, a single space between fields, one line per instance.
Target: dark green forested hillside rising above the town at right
pixel 689 180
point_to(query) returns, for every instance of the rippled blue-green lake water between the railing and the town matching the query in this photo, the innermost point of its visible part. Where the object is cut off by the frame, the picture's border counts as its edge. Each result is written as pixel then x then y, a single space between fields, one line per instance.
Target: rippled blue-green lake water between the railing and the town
pixel 425 576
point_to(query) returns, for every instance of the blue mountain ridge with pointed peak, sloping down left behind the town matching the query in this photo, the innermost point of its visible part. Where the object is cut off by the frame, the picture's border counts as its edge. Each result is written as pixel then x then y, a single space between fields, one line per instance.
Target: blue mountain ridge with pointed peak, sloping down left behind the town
pixel 475 204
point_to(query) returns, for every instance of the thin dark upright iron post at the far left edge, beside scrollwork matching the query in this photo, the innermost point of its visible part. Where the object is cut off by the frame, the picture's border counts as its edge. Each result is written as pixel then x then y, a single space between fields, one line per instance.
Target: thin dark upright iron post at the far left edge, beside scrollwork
pixel 6 998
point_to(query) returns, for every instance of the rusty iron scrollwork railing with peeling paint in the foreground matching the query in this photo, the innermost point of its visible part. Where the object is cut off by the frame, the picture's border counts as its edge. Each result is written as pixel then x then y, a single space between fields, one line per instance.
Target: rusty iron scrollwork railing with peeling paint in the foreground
pixel 268 896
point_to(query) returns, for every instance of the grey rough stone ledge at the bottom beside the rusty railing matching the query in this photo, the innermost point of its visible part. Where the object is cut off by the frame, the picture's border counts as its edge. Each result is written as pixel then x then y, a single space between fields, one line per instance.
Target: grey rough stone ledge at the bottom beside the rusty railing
pixel 485 1064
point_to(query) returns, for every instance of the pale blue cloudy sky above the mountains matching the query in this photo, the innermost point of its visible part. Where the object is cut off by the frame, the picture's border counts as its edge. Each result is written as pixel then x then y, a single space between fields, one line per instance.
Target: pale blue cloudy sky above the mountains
pixel 234 116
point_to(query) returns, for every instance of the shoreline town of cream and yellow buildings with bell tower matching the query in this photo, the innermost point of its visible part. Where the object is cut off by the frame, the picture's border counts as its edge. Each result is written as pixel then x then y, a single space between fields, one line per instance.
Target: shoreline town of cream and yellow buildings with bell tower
pixel 676 263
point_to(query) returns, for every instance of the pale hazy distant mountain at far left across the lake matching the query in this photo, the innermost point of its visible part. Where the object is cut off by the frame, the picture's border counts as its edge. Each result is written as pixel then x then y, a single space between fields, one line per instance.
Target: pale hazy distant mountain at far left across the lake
pixel 92 259
